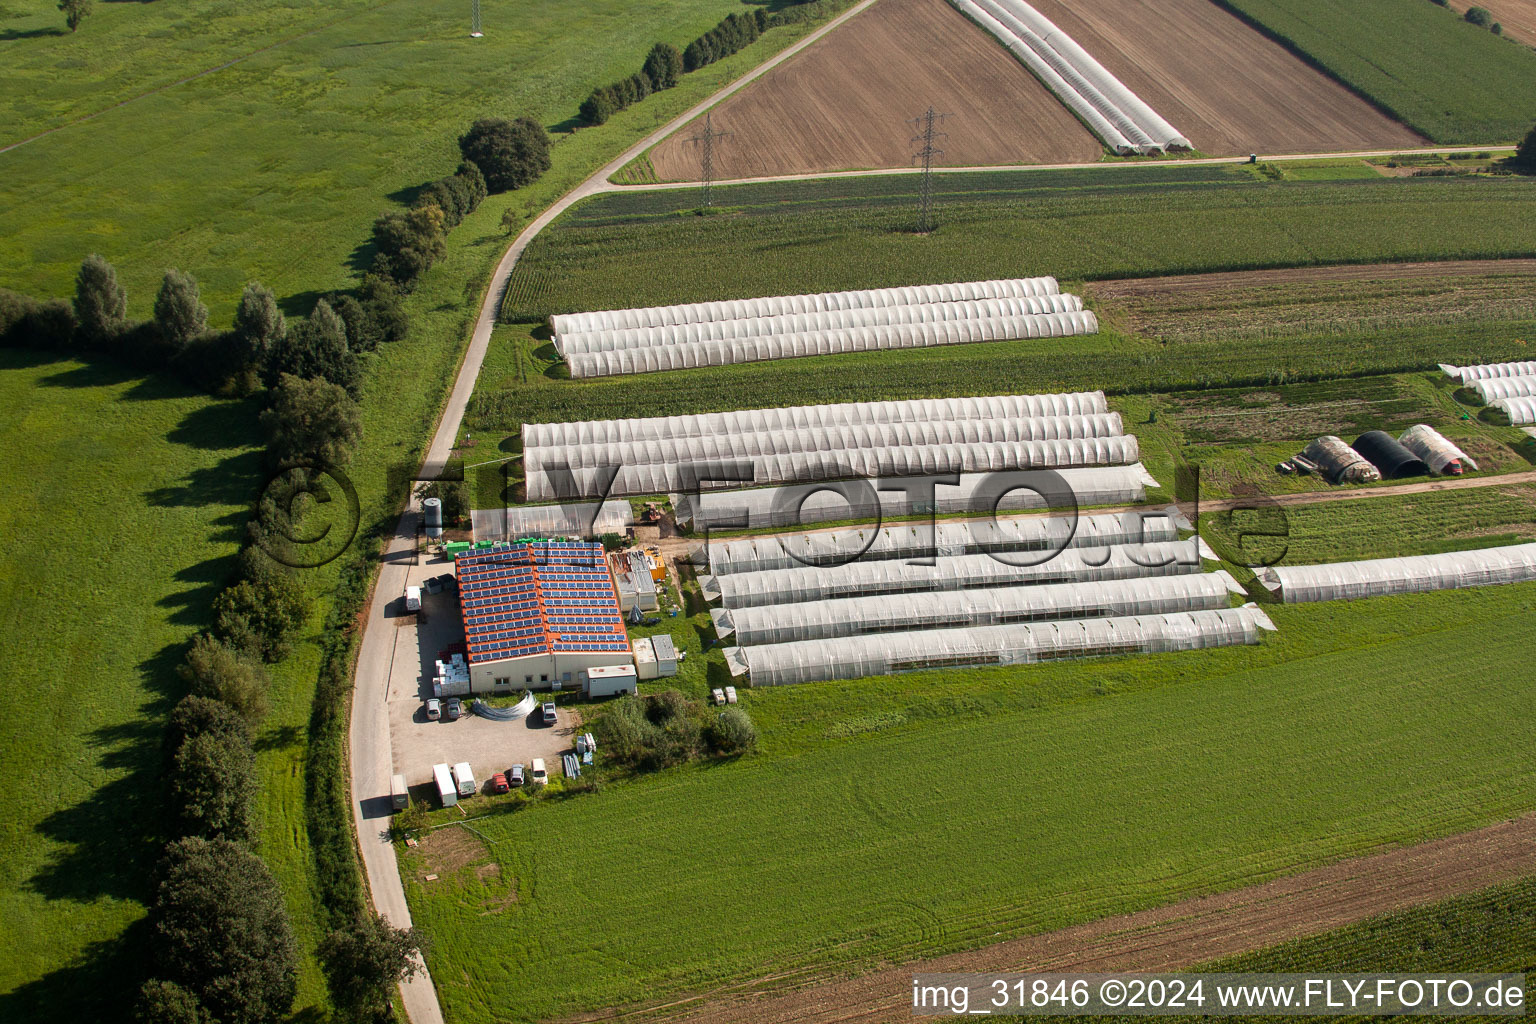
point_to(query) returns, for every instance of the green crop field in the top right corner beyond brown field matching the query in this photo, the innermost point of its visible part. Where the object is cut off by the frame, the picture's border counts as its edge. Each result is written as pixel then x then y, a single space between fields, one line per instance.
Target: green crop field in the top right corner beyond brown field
pixel 1449 81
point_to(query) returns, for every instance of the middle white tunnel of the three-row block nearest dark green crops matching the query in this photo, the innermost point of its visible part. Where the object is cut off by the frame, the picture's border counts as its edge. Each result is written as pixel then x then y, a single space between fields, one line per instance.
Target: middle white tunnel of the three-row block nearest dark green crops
pixel 804 323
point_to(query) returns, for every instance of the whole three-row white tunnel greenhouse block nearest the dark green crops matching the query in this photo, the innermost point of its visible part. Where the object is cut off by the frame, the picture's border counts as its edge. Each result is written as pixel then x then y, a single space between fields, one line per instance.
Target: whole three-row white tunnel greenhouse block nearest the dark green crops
pixel 784 328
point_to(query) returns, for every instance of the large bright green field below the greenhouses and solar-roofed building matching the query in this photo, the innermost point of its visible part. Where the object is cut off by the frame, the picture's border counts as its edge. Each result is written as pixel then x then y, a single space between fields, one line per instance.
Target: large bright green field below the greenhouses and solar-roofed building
pixel 801 859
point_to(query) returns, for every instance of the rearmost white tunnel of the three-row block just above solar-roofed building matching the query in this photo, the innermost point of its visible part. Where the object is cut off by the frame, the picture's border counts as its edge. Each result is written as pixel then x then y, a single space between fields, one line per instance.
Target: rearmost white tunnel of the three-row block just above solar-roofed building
pixel 819 417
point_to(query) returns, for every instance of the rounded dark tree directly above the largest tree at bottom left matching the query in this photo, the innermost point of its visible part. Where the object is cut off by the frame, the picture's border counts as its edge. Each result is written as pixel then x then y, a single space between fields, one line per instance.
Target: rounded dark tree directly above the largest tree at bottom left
pixel 214 788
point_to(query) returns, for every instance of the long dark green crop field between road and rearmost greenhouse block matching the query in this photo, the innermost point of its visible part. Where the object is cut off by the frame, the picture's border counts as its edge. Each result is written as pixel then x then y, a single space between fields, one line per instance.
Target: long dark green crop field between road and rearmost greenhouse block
pixel 1088 225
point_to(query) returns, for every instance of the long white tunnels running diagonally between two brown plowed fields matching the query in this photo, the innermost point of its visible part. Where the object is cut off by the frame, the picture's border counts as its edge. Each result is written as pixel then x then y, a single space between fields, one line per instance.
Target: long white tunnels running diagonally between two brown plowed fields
pixel 1116 114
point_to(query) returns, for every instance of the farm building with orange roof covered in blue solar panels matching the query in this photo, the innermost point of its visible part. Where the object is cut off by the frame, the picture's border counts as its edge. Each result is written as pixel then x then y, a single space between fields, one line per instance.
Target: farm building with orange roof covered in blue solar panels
pixel 537 615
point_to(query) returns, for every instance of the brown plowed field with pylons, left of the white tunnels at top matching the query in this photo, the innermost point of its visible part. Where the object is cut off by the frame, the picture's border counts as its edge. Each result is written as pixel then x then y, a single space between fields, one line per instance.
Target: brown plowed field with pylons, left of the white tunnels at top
pixel 844 104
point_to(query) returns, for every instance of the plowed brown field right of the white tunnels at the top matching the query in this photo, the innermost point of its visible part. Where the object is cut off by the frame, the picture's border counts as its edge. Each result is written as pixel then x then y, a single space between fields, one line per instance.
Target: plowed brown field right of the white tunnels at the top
pixel 1219 82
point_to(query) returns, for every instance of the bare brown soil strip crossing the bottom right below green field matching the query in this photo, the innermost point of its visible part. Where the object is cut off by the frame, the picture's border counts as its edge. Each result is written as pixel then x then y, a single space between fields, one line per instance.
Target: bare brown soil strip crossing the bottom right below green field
pixel 1173 937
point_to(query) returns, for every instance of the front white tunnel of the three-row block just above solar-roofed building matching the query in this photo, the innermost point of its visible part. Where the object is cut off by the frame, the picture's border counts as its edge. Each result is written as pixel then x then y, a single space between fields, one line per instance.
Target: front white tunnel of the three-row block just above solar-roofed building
pixel 799 467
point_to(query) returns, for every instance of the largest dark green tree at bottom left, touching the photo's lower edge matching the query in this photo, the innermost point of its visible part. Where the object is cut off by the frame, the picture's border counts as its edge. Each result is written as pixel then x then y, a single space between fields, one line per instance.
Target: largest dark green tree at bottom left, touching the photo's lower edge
pixel 222 933
